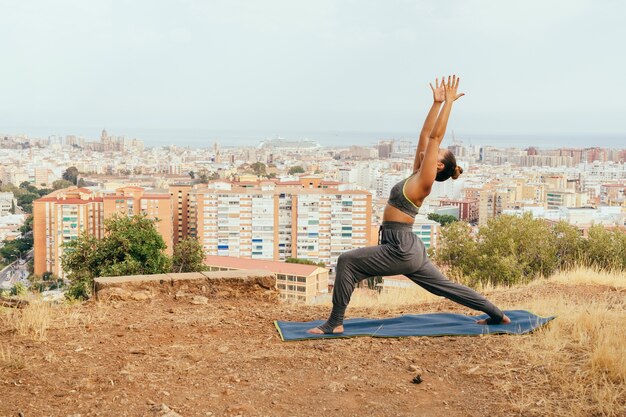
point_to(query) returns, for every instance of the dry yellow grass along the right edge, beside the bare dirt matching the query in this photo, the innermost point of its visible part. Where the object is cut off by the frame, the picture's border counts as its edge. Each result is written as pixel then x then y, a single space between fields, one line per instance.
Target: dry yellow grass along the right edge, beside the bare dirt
pixel 581 356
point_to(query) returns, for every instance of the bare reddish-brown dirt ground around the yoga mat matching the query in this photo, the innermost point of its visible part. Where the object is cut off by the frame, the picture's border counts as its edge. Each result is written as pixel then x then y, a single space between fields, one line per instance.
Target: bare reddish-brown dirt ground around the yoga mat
pixel 167 357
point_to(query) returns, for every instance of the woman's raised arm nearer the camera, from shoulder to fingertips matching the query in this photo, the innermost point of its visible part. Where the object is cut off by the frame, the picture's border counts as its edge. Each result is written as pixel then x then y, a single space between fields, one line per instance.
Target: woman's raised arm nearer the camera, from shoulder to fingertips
pixel 421 184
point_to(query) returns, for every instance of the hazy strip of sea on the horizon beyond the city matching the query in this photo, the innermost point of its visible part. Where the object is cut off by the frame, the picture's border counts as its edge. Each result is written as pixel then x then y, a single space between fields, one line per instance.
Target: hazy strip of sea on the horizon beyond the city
pixel 206 138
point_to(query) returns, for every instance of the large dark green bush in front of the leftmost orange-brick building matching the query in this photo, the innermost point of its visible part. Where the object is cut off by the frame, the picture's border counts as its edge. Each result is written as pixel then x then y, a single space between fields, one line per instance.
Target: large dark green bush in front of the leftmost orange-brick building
pixel 131 246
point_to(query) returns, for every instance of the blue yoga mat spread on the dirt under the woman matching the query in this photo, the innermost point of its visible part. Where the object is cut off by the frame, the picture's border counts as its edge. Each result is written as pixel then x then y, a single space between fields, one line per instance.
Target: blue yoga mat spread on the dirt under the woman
pixel 436 324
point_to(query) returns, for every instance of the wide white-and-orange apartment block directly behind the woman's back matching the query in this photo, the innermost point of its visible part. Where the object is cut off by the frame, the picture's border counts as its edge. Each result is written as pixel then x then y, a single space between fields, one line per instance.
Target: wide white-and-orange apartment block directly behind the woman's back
pixel 309 219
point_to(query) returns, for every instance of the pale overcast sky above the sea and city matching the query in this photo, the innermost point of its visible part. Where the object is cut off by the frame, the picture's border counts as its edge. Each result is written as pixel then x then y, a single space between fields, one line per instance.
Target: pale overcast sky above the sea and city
pixel 532 66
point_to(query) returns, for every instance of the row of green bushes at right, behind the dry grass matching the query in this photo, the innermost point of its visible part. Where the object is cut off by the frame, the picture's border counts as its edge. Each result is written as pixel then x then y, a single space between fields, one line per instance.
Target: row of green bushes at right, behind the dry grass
pixel 510 250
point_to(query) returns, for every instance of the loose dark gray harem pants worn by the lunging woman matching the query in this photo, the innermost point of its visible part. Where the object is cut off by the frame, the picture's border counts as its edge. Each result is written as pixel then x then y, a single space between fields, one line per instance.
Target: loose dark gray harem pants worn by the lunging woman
pixel 400 252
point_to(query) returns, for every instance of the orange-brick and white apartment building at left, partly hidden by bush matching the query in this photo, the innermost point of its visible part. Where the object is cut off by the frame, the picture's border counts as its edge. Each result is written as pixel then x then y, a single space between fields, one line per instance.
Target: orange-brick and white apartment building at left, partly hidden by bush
pixel 64 214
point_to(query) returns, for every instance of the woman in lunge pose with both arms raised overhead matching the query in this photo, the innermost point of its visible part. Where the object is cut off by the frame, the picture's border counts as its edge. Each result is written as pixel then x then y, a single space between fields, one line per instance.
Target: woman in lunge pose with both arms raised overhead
pixel 400 251
